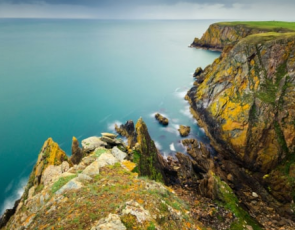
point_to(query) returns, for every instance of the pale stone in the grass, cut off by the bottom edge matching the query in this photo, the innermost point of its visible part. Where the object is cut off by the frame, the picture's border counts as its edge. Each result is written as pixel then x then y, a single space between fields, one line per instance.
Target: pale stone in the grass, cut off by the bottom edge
pixel 111 222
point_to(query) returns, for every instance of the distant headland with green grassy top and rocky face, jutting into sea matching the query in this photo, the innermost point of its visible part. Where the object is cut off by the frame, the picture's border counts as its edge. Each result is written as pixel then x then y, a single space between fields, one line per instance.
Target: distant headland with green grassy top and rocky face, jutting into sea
pixel 220 35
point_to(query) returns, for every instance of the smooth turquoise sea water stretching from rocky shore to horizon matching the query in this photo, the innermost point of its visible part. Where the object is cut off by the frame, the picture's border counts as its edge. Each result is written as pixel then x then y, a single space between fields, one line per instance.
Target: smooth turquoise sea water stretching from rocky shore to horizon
pixel 65 78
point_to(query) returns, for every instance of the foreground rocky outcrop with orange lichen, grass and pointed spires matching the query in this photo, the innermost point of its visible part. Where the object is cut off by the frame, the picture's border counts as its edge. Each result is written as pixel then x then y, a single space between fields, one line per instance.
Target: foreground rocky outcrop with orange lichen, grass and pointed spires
pixel 102 191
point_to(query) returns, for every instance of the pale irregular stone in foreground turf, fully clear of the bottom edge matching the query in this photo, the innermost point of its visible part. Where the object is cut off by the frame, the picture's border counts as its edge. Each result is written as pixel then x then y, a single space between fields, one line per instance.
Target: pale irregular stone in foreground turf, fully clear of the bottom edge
pixel 135 209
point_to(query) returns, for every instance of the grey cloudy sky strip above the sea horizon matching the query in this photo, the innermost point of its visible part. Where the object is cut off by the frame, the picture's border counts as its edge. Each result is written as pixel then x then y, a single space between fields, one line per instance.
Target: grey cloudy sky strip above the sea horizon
pixel 150 9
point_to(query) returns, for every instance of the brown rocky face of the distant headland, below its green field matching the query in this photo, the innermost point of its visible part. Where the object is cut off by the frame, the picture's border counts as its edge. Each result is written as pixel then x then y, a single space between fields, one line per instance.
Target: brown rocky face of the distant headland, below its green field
pixel 219 35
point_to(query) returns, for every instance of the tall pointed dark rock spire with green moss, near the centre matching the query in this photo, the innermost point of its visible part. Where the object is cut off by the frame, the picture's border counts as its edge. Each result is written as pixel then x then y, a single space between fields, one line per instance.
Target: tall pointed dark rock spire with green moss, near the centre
pixel 151 163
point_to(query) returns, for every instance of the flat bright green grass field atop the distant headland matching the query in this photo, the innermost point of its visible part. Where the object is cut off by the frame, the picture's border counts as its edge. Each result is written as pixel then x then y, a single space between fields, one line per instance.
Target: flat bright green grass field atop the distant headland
pixel 264 25
